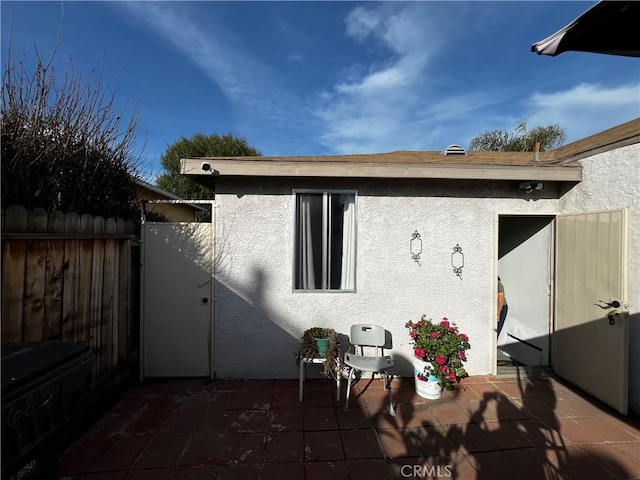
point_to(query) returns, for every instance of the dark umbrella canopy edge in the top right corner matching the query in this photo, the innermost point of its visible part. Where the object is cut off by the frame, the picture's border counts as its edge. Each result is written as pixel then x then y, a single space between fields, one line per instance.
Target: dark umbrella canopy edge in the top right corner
pixel 609 27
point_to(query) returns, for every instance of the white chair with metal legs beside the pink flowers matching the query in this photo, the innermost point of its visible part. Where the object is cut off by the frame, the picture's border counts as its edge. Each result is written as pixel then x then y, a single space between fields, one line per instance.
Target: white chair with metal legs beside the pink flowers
pixel 371 337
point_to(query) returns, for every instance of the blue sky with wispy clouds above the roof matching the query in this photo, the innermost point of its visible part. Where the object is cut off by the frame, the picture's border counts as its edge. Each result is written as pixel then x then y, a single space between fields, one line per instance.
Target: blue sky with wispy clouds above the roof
pixel 322 78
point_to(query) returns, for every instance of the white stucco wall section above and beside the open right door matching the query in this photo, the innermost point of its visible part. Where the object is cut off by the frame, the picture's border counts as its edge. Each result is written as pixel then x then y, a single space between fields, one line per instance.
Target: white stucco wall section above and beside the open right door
pixel 611 182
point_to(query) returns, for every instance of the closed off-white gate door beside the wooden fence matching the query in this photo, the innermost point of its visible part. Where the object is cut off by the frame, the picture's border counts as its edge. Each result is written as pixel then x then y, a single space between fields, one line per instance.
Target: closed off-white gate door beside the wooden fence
pixel 177 300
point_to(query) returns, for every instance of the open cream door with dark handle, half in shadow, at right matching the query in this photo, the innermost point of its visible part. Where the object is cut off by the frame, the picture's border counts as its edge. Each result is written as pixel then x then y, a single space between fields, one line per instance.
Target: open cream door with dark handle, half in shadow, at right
pixel 590 340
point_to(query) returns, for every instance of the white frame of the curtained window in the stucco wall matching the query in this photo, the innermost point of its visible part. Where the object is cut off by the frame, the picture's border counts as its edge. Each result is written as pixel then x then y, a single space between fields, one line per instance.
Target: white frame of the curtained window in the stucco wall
pixel 324 192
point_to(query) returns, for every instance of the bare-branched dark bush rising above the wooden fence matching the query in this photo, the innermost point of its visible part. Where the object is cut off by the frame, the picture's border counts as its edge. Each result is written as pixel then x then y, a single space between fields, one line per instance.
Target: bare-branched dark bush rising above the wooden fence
pixel 65 144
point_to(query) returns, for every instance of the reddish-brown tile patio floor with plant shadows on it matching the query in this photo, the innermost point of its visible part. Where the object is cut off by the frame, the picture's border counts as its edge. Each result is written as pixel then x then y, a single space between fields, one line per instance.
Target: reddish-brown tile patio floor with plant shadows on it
pixel 491 428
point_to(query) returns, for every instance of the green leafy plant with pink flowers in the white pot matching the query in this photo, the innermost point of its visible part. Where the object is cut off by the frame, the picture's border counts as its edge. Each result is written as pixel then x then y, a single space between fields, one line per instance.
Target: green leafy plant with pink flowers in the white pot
pixel 443 346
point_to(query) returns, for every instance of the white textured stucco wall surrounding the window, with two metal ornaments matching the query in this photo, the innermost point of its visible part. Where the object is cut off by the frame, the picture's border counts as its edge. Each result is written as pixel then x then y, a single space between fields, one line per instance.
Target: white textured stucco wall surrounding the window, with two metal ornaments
pixel 259 319
